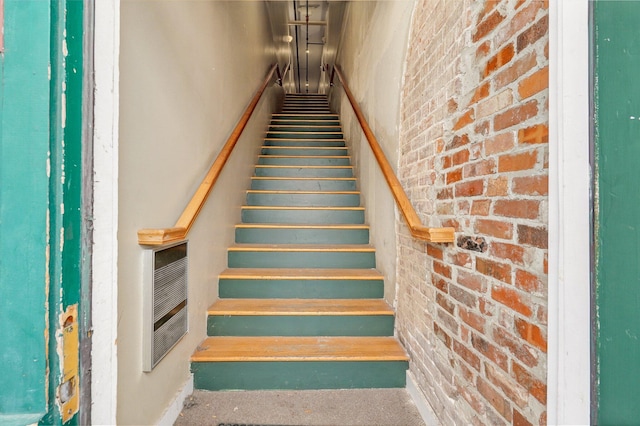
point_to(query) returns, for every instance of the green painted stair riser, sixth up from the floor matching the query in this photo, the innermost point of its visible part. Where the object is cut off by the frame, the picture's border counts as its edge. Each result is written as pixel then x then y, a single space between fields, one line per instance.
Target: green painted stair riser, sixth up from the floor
pixel 303 216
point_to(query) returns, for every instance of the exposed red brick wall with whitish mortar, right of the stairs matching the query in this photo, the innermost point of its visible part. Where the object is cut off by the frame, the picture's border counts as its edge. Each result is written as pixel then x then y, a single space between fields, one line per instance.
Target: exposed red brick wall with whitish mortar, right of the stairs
pixel 474 155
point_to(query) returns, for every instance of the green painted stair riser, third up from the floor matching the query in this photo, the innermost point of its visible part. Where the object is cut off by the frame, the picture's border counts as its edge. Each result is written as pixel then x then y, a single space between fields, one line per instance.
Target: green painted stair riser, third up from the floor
pixel 300 289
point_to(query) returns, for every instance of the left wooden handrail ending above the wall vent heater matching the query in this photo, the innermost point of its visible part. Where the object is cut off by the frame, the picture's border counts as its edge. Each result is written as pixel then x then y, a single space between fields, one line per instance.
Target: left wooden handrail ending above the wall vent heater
pixel 156 237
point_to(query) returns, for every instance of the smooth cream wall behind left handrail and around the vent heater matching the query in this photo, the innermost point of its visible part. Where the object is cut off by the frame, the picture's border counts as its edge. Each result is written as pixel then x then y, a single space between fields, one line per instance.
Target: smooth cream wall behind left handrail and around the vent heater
pixel 188 69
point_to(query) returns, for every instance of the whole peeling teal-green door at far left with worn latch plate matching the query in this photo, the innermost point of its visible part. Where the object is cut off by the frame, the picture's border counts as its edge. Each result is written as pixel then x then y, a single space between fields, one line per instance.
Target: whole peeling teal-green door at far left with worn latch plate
pixel 41 225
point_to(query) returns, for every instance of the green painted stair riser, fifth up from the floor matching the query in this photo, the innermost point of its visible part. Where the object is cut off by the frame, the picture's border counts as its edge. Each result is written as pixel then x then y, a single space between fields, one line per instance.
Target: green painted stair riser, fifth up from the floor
pixel 301 236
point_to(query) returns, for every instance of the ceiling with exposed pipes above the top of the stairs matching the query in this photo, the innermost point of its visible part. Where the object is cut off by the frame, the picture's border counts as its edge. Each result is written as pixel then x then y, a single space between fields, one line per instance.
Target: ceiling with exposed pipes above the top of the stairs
pixel 307 35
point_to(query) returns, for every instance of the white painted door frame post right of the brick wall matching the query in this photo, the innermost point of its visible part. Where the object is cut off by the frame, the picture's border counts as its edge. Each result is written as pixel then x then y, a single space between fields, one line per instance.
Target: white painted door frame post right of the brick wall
pixel 568 383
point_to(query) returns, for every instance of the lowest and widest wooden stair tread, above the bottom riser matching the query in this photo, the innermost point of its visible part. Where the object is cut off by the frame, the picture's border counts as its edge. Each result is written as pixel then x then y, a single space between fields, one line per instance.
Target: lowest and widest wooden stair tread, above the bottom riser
pixel 231 348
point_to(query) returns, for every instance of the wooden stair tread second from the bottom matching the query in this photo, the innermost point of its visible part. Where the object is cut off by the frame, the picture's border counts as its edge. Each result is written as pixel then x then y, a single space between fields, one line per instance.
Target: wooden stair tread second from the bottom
pixel 296 307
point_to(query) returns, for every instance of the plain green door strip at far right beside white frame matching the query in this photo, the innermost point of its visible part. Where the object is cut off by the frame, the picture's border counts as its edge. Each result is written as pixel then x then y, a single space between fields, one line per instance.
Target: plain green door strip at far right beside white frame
pixel 617 210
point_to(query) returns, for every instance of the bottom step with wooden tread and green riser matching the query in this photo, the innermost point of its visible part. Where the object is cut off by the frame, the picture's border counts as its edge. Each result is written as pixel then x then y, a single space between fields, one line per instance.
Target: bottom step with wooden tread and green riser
pixel 253 363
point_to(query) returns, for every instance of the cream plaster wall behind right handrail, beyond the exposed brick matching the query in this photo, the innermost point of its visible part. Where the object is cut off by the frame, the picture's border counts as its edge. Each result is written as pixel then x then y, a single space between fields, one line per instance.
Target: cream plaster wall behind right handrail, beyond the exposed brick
pixel 372 57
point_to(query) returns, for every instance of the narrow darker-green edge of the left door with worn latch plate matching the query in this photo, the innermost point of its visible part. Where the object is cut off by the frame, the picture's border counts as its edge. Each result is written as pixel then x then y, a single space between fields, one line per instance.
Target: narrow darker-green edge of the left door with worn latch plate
pixel 67 226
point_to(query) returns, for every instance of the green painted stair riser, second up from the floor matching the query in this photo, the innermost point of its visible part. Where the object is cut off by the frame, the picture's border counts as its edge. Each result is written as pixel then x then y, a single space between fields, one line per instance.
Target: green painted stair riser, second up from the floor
pixel 300 325
